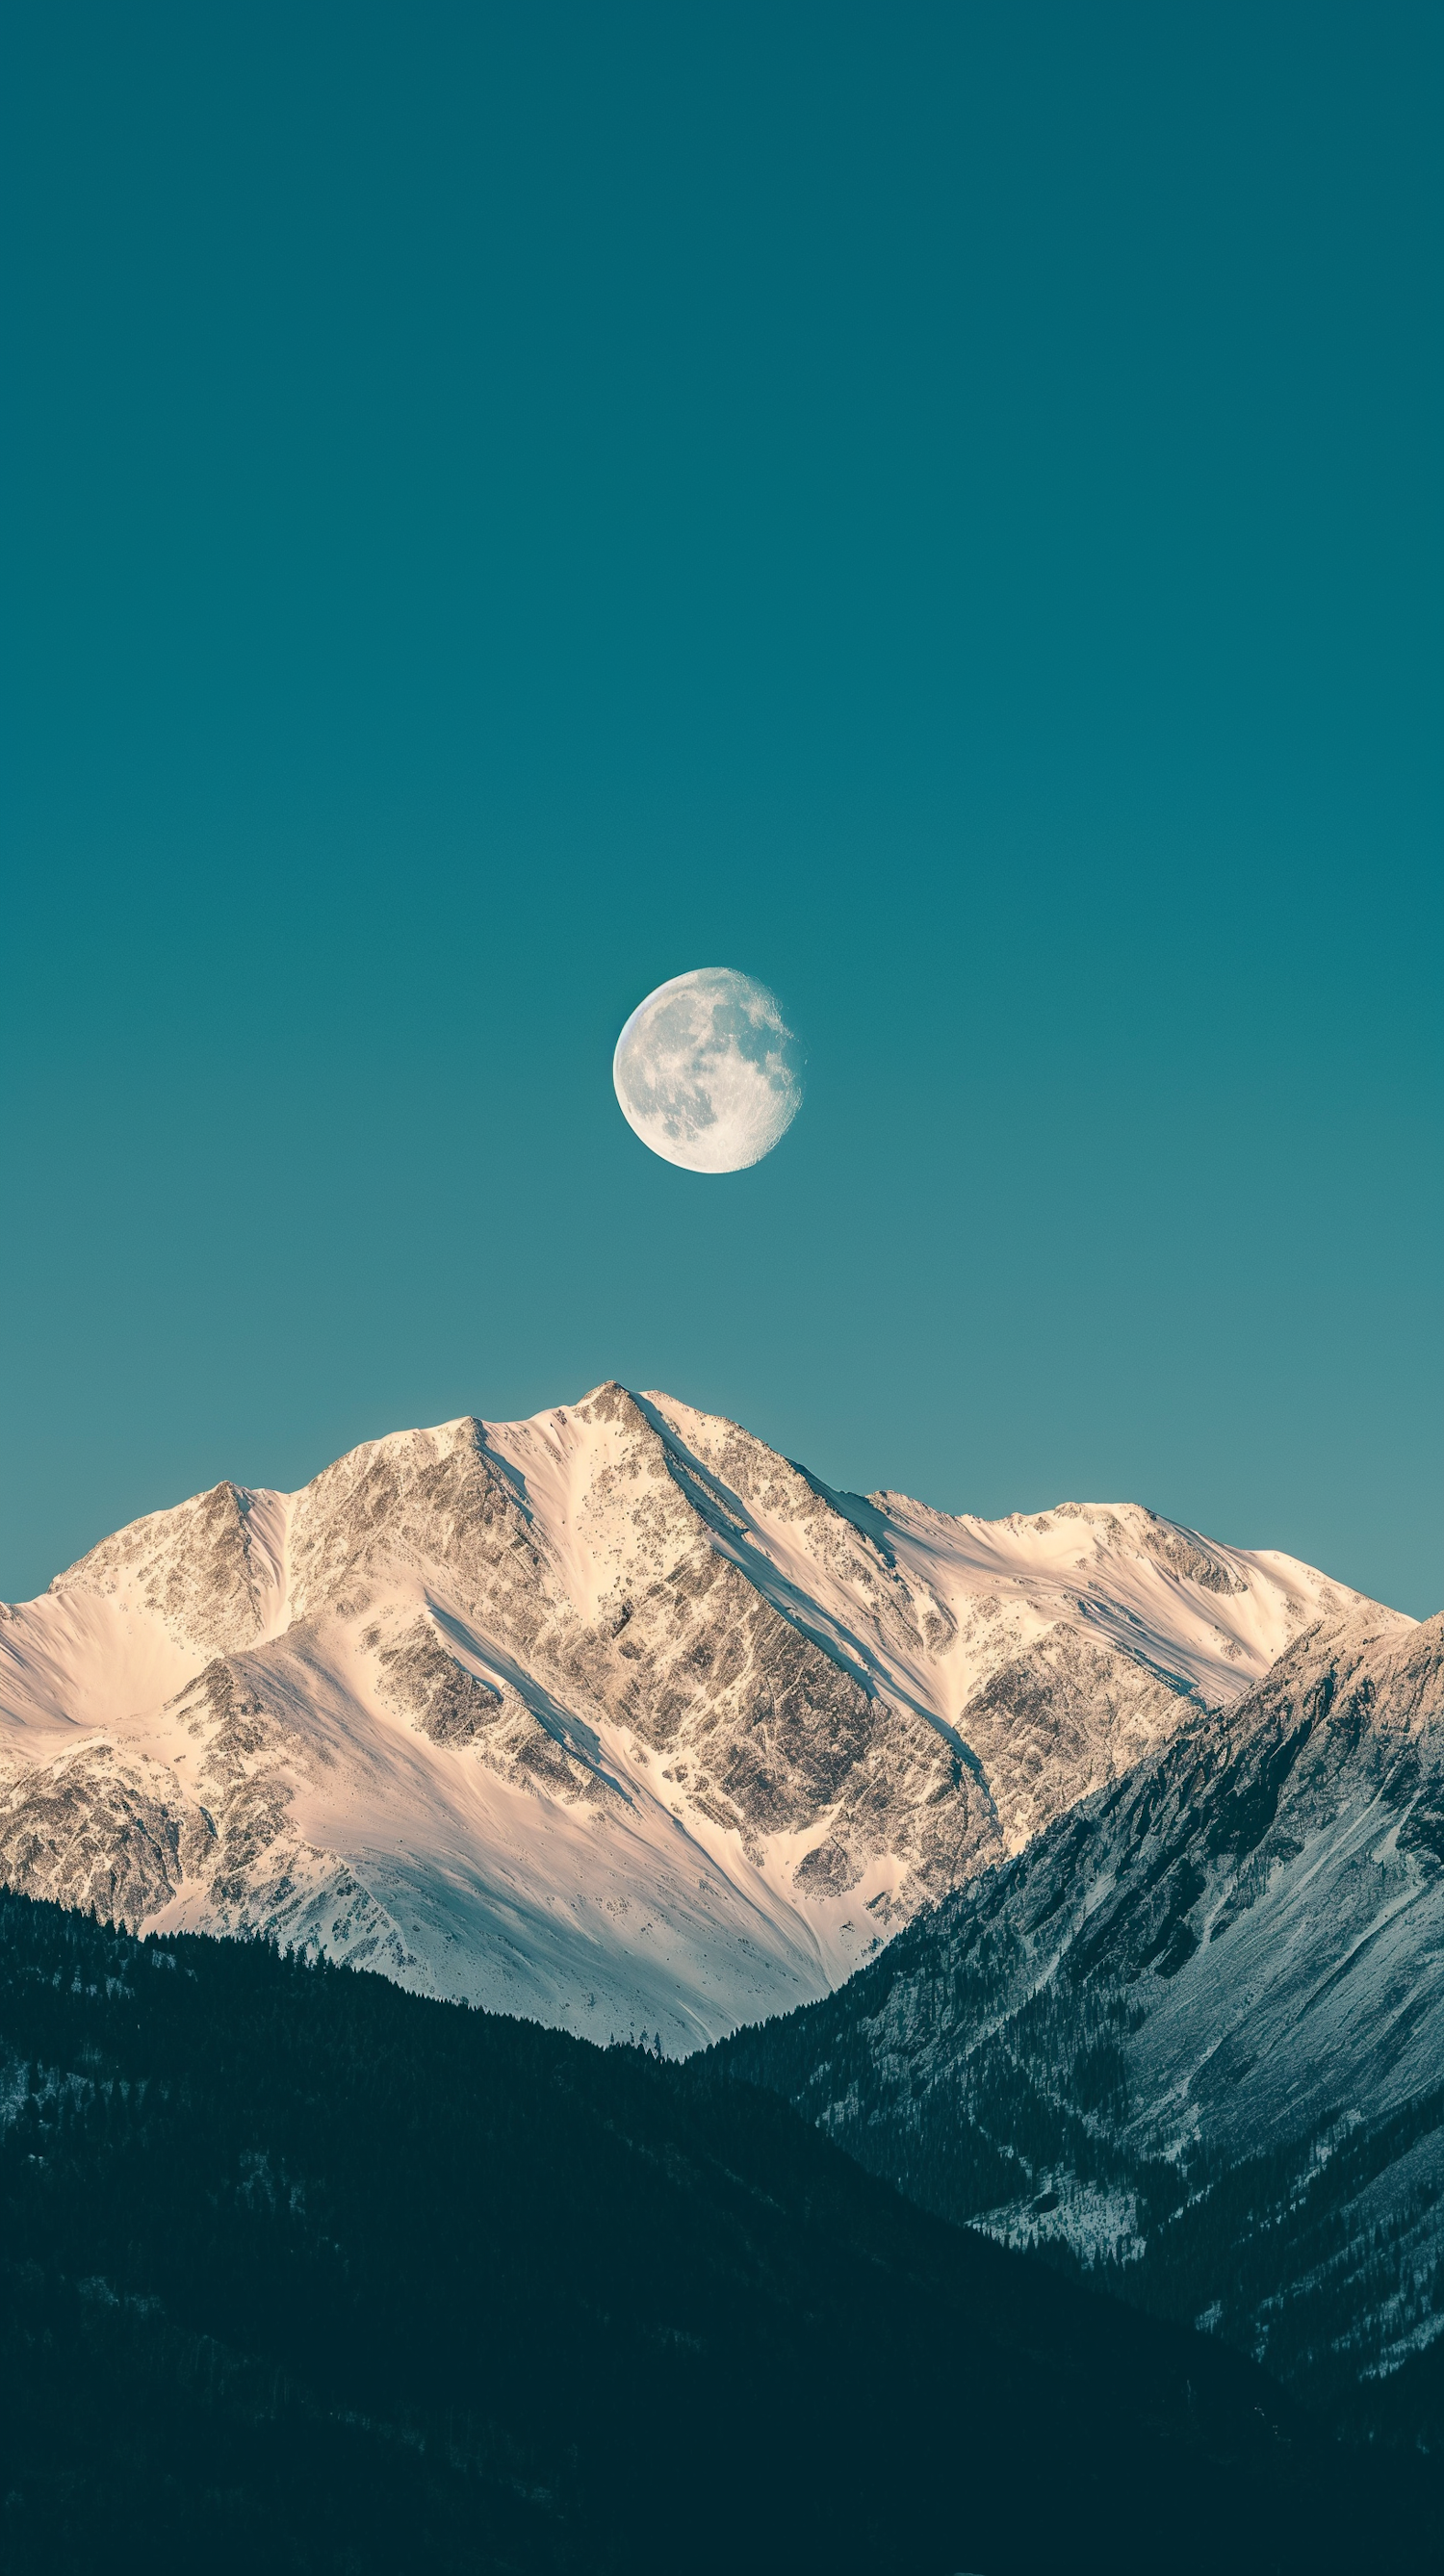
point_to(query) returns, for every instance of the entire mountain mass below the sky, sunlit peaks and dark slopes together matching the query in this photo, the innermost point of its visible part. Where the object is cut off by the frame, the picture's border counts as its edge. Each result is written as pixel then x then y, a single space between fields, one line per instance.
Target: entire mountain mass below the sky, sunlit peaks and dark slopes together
pixel 1033 1928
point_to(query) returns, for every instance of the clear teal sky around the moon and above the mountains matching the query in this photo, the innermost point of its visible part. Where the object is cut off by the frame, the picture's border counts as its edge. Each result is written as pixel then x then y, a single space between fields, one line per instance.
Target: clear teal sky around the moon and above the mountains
pixel 930 506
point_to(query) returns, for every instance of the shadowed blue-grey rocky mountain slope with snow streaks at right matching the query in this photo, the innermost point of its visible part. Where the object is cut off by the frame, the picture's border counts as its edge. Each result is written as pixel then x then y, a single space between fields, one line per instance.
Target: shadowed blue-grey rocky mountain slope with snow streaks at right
pixel 1198 2026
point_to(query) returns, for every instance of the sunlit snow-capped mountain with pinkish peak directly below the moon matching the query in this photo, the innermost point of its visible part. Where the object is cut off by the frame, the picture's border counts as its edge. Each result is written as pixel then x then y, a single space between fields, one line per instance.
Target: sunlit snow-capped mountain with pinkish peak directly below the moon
pixel 614 1717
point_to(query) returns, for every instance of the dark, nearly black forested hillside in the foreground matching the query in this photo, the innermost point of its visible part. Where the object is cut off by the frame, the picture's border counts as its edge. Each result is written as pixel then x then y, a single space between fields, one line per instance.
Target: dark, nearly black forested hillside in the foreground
pixel 308 2273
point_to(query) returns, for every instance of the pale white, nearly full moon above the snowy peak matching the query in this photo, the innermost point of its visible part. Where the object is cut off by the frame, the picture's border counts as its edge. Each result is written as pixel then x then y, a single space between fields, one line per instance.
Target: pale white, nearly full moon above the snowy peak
pixel 709 1073
